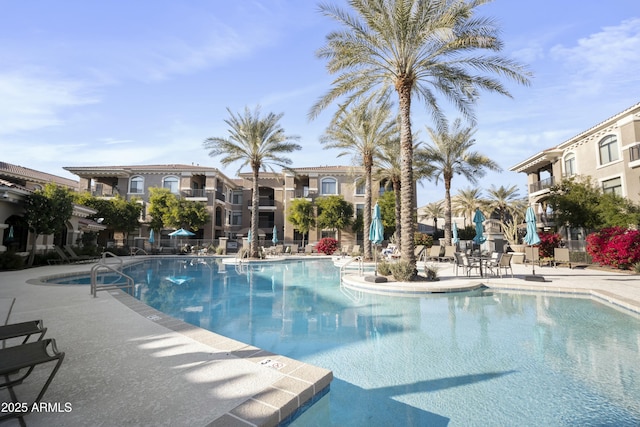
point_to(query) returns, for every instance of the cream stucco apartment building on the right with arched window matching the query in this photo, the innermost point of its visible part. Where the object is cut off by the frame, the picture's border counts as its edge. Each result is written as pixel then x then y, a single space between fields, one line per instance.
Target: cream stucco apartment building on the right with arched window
pixel 609 153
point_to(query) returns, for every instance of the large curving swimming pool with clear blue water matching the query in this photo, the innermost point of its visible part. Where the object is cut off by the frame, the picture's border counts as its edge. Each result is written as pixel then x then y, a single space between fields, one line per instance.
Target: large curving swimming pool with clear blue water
pixel 478 358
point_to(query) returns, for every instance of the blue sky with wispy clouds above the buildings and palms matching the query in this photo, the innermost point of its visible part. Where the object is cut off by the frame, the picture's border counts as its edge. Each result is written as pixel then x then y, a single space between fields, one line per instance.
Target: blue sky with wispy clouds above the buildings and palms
pixel 111 83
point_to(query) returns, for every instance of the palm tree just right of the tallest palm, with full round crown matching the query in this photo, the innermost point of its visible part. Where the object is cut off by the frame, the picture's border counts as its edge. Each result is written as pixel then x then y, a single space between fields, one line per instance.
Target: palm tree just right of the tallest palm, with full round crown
pixel 450 153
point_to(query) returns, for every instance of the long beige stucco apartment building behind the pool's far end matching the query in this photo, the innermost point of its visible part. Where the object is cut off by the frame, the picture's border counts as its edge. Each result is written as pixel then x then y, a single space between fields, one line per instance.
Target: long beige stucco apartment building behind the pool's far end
pixel 228 200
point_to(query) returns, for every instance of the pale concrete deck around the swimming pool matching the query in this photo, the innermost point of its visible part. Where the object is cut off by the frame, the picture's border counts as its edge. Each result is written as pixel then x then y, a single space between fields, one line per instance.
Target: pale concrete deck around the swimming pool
pixel 128 364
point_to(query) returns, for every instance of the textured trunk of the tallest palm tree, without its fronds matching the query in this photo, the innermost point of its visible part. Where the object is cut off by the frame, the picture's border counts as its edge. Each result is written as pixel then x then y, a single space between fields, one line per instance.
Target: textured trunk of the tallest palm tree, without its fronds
pixel 406 174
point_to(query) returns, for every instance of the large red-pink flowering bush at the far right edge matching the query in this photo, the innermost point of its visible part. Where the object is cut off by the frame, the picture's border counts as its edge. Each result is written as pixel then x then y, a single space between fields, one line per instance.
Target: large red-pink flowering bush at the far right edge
pixel 615 246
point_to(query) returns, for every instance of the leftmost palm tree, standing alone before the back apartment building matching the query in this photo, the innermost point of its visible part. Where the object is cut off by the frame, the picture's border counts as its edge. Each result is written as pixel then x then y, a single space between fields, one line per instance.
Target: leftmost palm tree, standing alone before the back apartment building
pixel 259 142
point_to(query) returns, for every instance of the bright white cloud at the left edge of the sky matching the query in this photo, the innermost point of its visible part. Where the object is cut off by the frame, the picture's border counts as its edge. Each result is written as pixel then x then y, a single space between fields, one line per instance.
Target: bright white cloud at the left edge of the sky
pixel 28 103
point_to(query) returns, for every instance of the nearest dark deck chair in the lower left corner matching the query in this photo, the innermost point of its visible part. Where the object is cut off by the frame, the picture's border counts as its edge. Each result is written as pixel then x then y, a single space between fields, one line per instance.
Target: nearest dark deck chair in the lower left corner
pixel 17 363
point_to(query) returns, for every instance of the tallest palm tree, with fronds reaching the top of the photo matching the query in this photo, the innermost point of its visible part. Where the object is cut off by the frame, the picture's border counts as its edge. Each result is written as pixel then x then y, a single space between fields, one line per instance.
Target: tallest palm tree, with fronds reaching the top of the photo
pixel 416 48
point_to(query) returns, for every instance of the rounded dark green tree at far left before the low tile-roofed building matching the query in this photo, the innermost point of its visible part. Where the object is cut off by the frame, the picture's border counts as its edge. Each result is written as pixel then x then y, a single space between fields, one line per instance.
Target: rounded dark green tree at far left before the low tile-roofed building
pixel 46 212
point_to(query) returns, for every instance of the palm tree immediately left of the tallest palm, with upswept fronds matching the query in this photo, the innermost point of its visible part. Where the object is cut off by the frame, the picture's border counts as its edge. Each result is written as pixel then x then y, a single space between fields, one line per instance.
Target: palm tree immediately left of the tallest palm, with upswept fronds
pixel 361 131
